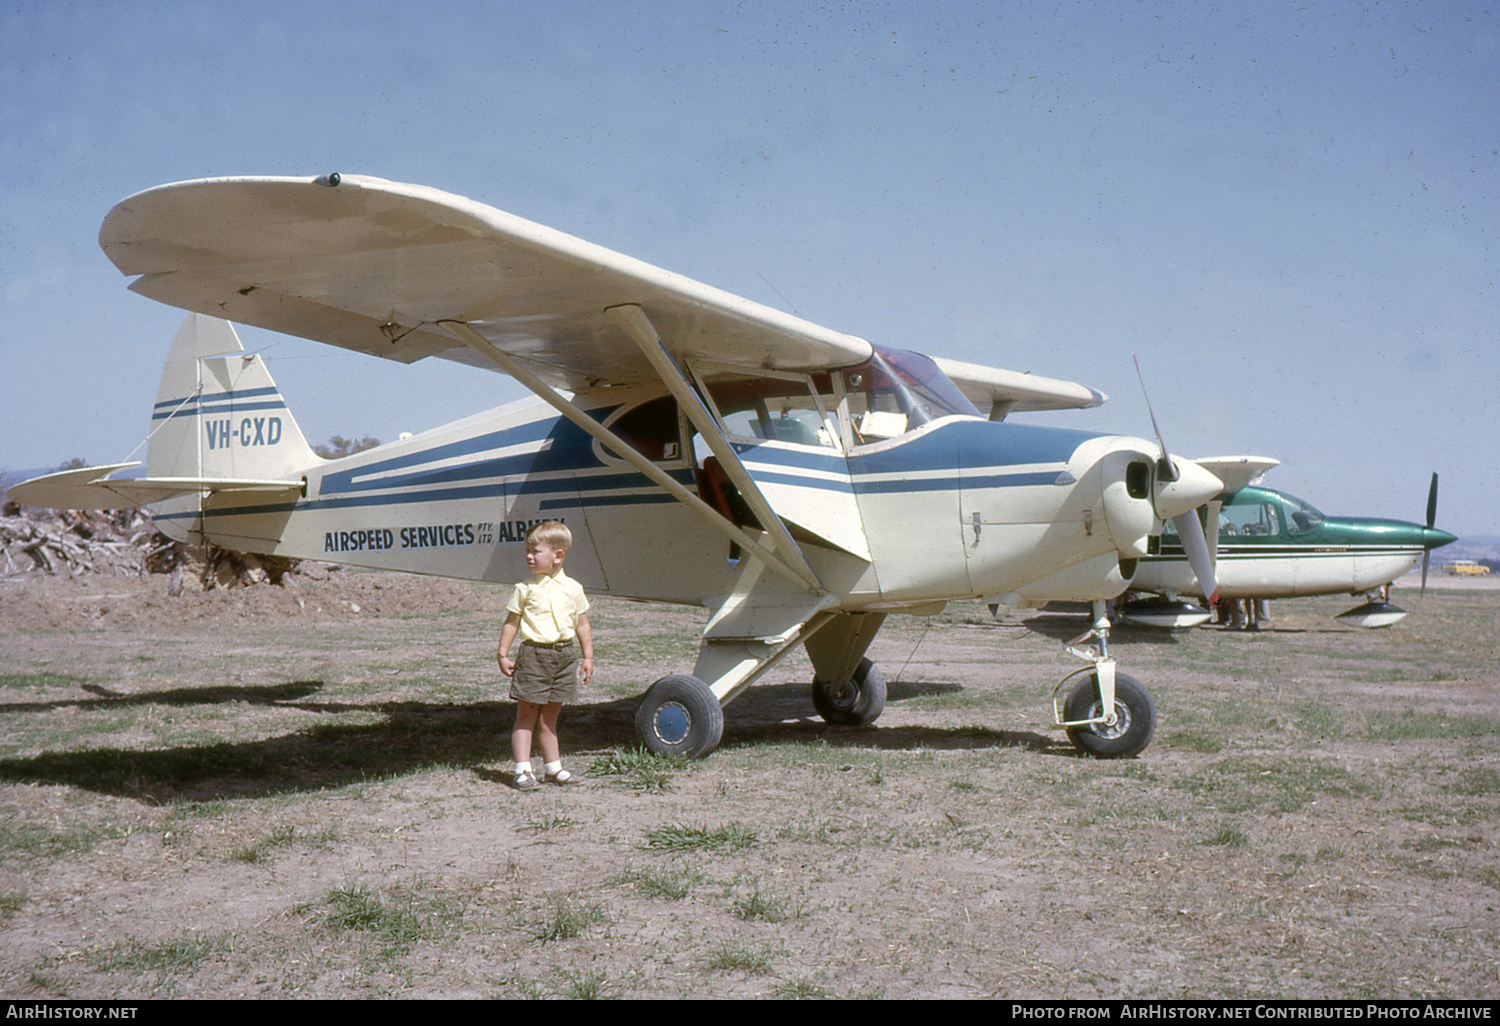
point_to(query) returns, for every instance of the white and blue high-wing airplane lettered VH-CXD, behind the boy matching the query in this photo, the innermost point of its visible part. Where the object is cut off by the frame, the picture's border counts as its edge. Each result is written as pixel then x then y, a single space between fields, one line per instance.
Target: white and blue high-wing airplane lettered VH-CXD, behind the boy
pixel 799 482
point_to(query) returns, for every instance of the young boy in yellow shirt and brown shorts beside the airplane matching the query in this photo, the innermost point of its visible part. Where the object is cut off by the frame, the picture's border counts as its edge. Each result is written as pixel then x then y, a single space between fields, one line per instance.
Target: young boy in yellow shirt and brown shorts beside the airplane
pixel 550 613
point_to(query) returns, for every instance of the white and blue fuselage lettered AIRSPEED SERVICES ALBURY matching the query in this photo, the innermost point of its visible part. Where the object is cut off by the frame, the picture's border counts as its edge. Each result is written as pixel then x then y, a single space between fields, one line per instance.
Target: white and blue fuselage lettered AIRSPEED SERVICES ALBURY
pixel 956 508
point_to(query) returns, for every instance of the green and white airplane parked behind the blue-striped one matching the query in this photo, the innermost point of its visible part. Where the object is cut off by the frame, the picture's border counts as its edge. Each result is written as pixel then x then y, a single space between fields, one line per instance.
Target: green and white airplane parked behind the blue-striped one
pixel 1271 545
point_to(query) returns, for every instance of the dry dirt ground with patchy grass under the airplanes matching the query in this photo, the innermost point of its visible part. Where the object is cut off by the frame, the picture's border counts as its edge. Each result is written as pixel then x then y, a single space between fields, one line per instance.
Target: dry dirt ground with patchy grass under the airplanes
pixel 304 791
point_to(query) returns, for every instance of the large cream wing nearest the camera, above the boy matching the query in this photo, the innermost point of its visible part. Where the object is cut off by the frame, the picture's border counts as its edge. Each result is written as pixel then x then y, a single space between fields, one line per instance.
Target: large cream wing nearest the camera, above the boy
pixel 373 266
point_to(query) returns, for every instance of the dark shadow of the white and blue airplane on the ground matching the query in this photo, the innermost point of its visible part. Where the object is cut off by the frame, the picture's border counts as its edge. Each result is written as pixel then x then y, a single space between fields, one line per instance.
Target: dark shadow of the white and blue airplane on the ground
pixel 421 736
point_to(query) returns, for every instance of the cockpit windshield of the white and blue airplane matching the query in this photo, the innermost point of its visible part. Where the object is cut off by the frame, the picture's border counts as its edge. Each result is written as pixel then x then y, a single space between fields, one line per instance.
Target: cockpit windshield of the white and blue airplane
pixel 898 392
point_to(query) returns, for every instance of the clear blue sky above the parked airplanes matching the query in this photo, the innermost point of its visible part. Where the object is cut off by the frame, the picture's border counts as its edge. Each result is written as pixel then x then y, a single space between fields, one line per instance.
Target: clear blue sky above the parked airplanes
pixel 1289 214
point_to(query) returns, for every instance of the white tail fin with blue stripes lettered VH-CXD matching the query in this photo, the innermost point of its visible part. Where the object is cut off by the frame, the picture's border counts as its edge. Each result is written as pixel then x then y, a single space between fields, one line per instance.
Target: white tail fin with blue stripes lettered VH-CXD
pixel 218 413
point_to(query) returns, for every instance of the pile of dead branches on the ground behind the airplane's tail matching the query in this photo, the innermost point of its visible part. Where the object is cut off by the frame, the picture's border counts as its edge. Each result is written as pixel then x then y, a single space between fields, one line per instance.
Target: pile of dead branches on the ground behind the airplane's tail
pixel 122 544
